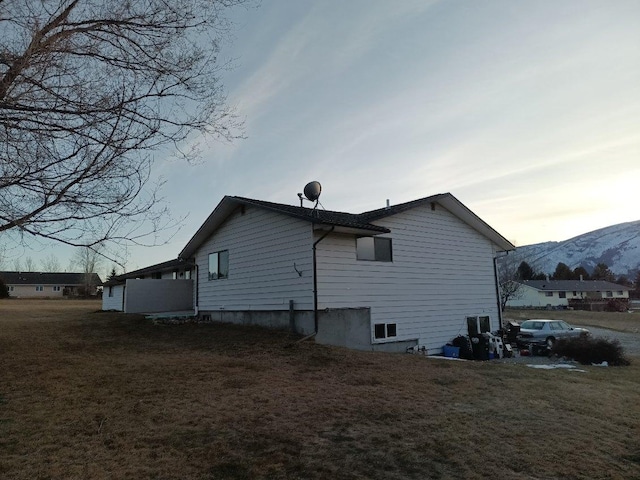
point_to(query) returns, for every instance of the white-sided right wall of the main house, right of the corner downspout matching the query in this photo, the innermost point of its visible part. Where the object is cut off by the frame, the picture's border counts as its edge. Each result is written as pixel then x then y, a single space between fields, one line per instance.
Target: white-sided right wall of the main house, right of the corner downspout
pixel 442 272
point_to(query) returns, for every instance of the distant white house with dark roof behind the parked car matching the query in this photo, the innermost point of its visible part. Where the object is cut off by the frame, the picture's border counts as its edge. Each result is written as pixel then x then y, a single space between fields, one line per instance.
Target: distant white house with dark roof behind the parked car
pixel 559 293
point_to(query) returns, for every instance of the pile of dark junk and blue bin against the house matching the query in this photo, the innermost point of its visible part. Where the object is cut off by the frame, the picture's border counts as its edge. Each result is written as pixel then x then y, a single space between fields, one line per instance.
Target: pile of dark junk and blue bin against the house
pixel 481 344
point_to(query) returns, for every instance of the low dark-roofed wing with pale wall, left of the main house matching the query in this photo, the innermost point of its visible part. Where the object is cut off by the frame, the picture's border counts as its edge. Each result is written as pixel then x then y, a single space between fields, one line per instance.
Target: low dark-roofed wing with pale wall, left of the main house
pixel 171 289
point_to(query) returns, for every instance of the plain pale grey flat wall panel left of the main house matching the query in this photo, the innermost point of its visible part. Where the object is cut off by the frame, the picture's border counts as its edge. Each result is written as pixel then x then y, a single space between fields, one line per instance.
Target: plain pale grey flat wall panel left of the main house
pixel 149 296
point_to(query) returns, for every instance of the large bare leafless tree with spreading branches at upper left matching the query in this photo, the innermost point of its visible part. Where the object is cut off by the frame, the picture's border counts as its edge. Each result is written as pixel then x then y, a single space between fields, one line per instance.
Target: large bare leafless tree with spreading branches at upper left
pixel 89 90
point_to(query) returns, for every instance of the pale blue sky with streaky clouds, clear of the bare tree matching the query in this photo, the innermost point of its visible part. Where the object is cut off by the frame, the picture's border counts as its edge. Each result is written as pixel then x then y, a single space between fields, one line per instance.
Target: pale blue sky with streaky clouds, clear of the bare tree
pixel 528 112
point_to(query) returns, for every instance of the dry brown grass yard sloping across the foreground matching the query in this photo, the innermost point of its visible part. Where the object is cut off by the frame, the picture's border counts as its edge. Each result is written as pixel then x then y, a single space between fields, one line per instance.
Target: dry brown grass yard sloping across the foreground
pixel 92 395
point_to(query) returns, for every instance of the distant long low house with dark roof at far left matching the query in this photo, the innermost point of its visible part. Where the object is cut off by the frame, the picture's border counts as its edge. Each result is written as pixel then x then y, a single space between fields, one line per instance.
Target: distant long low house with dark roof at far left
pixel 49 285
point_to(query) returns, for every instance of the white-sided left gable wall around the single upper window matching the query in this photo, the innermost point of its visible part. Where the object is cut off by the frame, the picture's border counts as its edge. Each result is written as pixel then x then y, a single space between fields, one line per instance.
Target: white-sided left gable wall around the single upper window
pixel 265 250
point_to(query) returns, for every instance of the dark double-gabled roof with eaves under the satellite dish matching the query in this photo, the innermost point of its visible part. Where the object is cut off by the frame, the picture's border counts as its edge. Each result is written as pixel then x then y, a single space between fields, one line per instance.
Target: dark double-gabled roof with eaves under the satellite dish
pixel 354 223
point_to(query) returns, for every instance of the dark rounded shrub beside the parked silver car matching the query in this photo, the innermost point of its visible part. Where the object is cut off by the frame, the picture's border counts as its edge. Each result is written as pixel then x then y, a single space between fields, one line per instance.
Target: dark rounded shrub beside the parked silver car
pixel 588 350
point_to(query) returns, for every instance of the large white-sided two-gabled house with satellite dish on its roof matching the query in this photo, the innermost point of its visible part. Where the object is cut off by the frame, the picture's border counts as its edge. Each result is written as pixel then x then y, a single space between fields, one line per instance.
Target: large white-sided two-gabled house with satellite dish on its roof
pixel 413 274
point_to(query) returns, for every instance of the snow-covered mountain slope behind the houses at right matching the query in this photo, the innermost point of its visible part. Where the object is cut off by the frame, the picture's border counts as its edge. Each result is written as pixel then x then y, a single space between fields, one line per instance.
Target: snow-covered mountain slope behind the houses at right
pixel 618 246
